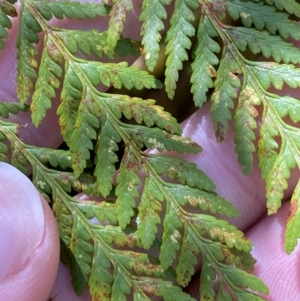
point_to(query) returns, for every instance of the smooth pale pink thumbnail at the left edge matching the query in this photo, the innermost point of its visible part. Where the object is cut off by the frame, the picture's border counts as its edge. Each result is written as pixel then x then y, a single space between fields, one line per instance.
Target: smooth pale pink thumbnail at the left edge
pixel 21 219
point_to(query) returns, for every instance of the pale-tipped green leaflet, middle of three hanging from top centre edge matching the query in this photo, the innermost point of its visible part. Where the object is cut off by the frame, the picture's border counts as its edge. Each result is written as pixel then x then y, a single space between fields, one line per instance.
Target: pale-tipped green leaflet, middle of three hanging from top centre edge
pixel 153 12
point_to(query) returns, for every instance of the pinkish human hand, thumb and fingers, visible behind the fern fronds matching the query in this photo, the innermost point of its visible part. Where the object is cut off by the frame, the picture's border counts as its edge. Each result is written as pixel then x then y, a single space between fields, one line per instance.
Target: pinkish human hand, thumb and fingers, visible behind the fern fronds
pixel 31 276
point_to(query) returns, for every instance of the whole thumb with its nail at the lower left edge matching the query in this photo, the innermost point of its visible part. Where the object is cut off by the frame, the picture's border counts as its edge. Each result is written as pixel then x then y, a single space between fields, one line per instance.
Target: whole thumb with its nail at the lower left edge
pixel 29 244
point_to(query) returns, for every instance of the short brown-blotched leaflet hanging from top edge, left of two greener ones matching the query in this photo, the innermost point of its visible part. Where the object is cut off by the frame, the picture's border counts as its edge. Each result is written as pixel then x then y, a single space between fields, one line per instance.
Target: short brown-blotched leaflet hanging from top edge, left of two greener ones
pixel 117 20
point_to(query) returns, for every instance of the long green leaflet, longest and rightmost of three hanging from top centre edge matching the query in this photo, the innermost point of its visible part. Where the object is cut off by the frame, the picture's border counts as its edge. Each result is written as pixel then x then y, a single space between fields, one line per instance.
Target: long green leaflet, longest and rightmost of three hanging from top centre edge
pixel 178 41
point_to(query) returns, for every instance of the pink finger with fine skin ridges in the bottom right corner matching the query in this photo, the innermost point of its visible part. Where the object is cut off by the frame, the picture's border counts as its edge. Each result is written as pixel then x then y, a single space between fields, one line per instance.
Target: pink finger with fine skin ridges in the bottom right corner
pixel 277 269
